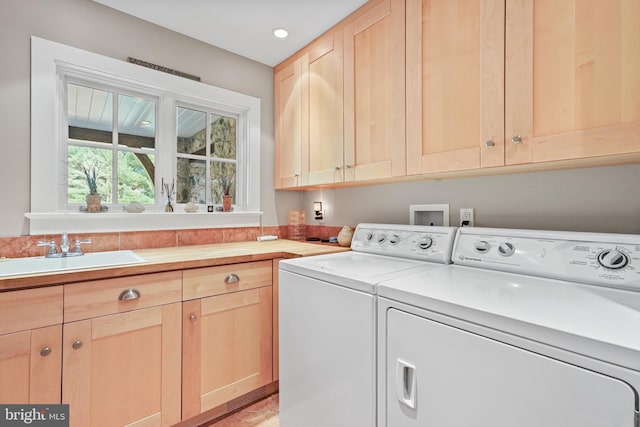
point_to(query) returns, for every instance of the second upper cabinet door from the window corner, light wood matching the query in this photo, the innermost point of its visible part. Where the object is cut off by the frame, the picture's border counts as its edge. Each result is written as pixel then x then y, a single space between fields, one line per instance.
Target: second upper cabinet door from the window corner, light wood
pixel 323 70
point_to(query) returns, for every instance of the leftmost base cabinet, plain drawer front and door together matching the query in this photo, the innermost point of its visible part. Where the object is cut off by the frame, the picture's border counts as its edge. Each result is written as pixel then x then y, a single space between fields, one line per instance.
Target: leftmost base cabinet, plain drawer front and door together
pixel 31 346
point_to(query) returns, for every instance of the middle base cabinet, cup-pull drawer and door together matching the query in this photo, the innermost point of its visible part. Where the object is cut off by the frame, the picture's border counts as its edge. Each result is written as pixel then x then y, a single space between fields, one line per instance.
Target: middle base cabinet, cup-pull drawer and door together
pixel 123 369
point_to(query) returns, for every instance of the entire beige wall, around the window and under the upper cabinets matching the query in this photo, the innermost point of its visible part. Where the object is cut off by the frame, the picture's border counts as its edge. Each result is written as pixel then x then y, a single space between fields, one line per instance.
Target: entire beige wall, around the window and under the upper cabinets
pixel 596 199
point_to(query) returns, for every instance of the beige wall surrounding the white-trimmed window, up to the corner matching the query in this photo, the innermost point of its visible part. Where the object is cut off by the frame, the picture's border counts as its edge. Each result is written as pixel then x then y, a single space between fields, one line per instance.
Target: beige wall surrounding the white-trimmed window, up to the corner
pixel 97 28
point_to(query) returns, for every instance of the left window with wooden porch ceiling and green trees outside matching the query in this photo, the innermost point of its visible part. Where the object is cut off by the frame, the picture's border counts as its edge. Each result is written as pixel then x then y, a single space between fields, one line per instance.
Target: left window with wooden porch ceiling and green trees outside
pixel 122 151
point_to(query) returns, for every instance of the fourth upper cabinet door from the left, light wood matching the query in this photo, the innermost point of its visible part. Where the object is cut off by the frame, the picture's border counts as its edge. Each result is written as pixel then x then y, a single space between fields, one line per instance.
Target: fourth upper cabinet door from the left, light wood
pixel 455 85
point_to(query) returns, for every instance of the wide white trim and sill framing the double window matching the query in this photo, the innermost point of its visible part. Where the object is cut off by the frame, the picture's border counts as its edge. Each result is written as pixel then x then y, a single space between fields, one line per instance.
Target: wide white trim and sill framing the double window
pixel 46 137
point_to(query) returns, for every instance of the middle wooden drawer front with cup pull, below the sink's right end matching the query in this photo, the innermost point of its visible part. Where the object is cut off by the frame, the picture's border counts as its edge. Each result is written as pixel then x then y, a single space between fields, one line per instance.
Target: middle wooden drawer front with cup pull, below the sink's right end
pixel 101 297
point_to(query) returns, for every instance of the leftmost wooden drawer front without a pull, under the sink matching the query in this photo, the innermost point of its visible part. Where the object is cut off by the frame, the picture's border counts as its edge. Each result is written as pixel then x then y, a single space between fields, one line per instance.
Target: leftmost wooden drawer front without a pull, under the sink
pixel 30 309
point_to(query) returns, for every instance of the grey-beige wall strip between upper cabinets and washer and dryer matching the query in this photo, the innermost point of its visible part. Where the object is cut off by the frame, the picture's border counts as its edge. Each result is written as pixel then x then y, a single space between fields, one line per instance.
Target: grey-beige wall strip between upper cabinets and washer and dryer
pixel 604 199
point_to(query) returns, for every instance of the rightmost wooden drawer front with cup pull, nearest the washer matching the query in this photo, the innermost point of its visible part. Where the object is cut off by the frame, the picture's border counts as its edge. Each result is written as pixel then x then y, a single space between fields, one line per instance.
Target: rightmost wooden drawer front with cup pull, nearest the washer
pixel 204 282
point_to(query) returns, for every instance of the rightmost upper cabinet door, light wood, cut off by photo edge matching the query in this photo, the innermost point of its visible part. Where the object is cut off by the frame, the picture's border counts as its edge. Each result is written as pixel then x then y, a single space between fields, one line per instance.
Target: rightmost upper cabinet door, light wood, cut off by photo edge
pixel 572 79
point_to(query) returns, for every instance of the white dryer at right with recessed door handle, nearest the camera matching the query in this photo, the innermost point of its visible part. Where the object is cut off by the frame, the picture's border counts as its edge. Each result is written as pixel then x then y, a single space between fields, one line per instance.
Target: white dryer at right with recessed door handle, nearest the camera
pixel 526 329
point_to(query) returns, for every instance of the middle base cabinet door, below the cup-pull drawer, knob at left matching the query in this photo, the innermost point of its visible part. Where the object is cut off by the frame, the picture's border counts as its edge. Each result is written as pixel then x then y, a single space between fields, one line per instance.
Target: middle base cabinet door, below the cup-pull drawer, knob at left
pixel 124 369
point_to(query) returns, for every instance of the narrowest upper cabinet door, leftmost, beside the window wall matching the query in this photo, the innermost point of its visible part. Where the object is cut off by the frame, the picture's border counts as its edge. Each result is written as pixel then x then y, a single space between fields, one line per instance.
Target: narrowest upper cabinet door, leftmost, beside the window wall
pixel 289 93
